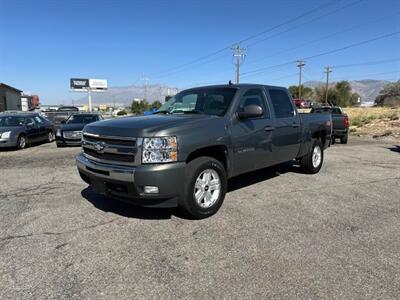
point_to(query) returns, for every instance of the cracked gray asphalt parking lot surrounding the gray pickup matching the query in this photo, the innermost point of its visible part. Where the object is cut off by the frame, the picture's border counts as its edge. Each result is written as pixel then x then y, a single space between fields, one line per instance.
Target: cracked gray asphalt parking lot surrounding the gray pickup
pixel 279 234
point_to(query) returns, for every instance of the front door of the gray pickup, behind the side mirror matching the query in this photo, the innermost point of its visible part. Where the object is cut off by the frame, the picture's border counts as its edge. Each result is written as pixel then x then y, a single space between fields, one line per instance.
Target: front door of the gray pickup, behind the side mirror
pixel 251 138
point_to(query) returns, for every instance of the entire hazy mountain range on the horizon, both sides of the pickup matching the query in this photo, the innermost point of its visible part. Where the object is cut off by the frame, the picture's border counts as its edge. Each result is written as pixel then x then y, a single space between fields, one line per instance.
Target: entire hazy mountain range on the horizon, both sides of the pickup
pixel 368 89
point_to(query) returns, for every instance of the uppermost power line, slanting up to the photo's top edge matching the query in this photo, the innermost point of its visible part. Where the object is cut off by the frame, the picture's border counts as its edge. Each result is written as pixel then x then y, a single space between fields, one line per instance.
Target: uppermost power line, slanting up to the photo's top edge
pixel 246 39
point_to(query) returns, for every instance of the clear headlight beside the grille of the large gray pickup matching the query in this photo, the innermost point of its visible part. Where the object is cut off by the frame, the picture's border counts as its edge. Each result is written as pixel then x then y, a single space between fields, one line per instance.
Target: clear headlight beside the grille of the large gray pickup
pixel 159 150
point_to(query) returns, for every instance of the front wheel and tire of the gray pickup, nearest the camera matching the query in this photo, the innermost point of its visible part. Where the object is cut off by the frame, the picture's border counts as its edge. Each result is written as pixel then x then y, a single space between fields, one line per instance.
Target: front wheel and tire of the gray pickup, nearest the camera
pixel 200 199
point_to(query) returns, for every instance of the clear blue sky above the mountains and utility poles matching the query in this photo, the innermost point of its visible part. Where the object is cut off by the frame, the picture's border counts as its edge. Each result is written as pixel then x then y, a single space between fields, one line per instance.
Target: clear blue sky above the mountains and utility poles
pixel 44 43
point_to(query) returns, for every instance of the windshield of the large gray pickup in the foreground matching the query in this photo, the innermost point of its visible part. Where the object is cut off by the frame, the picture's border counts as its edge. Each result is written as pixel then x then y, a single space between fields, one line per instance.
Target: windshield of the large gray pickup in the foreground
pixel 209 101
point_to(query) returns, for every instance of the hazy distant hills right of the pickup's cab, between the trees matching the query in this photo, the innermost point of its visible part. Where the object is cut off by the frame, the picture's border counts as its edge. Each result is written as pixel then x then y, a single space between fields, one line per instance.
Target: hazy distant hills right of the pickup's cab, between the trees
pixel 368 89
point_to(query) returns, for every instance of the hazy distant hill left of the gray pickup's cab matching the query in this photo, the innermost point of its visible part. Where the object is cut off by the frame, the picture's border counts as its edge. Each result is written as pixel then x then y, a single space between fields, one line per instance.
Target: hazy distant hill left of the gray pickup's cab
pixel 124 95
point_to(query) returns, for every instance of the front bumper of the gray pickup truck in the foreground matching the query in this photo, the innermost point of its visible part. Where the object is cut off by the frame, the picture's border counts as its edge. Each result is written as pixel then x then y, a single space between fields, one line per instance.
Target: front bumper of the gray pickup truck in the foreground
pixel 127 183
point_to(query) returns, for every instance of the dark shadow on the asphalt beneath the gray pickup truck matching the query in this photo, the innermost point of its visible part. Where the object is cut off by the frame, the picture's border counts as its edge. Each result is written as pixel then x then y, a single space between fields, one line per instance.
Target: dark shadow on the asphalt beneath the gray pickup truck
pixel 128 210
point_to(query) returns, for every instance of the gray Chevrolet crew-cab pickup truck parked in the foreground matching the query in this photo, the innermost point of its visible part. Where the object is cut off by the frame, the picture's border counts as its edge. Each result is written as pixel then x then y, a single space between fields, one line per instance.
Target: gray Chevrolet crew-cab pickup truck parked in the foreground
pixel 184 153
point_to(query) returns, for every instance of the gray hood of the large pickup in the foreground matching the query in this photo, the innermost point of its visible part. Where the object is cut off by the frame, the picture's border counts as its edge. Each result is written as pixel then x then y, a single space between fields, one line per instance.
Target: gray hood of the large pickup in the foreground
pixel 148 126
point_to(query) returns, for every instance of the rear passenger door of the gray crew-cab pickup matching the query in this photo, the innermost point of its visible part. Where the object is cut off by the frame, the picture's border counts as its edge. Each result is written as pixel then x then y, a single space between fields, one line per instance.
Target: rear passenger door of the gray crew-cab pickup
pixel 286 139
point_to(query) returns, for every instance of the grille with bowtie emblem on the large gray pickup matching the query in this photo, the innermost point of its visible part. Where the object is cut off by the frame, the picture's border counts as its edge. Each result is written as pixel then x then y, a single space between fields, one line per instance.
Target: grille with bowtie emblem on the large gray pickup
pixel 111 149
